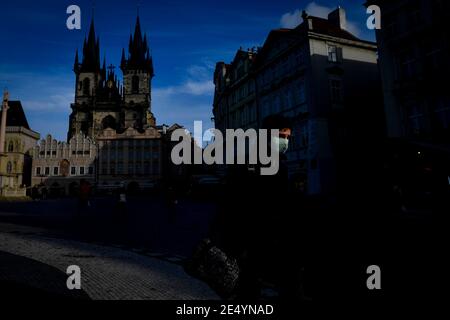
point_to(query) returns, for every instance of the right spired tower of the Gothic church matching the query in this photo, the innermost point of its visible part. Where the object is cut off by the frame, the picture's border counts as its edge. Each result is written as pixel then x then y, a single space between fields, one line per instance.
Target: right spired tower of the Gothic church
pixel 137 70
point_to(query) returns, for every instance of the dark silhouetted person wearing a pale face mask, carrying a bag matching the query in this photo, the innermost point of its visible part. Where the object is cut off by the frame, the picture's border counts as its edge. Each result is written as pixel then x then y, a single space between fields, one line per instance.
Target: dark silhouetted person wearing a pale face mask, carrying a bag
pixel 258 226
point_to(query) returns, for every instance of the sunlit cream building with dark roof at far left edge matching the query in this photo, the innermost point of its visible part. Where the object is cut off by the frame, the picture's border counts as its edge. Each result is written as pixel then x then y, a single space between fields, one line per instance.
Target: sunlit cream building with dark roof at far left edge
pixel 16 140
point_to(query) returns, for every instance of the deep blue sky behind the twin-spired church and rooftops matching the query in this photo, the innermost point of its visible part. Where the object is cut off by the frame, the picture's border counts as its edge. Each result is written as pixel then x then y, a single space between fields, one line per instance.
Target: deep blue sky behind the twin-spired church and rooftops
pixel 187 38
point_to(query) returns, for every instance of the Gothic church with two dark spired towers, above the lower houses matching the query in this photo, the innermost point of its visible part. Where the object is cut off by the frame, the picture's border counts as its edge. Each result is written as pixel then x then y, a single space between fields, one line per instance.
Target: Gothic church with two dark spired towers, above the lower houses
pixel 101 101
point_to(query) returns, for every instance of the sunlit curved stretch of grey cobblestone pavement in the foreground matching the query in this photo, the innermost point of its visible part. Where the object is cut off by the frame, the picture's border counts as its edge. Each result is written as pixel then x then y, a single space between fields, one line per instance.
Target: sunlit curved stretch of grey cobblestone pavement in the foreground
pixel 107 273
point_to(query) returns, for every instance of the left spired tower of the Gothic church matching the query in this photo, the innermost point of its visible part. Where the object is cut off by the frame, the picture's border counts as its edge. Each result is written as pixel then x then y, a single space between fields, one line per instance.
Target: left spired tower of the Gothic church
pixel 89 79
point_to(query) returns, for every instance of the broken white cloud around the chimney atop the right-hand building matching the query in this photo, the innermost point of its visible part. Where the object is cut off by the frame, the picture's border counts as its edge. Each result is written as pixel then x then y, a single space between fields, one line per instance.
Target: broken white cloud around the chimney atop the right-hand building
pixel 293 19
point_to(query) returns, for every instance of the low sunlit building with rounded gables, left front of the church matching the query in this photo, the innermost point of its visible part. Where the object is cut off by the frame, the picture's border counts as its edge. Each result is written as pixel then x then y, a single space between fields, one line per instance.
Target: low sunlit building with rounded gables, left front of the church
pixel 58 167
